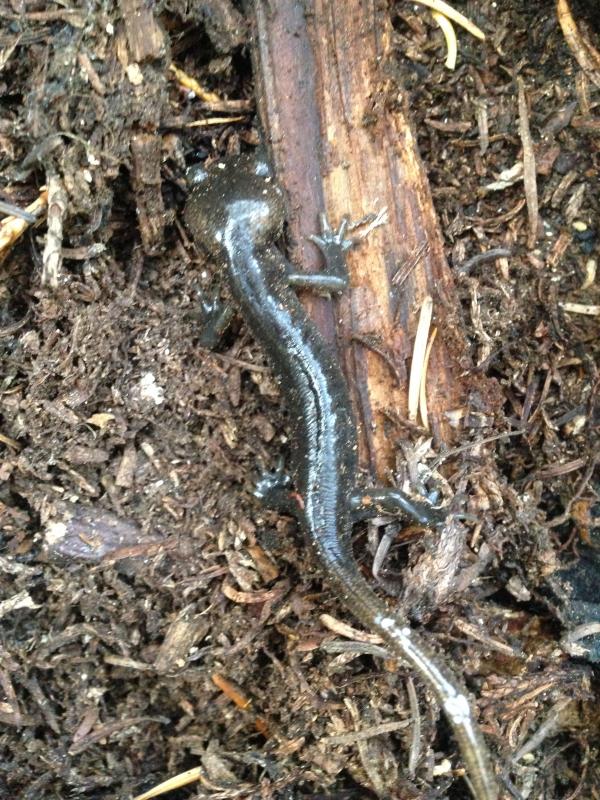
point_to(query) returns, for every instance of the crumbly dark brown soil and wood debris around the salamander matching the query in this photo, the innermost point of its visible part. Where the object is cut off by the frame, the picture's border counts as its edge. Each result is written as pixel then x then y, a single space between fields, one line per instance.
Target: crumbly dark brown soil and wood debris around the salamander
pixel 143 590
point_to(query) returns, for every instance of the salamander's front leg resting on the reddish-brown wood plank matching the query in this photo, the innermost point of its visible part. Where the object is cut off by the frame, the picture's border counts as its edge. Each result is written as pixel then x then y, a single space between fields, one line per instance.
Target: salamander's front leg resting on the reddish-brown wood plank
pixel 333 245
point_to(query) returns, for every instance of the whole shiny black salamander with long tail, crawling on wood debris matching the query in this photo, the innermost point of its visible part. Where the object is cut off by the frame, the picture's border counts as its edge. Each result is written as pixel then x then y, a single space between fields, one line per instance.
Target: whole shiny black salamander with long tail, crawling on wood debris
pixel 235 209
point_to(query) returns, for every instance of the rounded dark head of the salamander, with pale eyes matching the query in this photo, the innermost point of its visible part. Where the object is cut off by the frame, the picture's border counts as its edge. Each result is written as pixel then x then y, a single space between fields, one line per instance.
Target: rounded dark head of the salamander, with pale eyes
pixel 234 196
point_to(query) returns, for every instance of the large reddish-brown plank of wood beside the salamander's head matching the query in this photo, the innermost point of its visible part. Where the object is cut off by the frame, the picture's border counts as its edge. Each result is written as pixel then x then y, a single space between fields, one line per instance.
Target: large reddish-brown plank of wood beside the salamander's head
pixel 341 139
